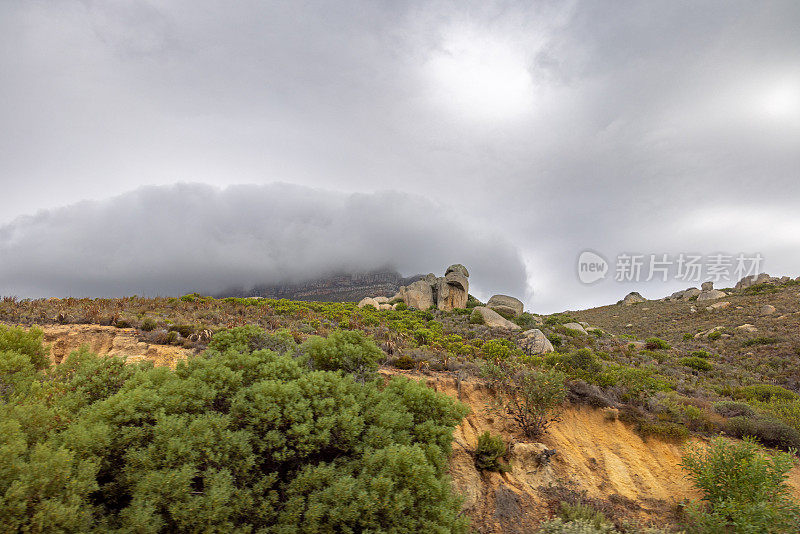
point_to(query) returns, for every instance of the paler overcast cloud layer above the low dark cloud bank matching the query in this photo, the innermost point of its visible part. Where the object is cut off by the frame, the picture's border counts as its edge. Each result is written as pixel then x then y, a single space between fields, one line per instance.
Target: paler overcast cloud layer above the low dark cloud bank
pixel 655 127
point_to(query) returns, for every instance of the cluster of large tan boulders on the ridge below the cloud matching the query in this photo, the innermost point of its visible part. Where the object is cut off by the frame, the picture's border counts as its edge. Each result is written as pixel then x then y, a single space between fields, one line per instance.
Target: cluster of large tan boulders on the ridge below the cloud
pixel 444 292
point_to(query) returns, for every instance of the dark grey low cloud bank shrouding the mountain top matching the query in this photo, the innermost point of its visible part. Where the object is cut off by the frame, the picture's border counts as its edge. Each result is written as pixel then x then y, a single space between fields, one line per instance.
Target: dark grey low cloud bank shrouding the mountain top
pixel 176 239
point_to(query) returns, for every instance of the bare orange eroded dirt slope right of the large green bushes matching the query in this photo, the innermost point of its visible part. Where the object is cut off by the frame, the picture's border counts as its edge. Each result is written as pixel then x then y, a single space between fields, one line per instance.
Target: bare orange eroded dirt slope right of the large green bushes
pixel 601 456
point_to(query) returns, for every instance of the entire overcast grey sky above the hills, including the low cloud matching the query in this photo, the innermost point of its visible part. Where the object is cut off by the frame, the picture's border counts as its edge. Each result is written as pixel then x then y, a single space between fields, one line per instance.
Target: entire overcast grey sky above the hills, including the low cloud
pixel 171 146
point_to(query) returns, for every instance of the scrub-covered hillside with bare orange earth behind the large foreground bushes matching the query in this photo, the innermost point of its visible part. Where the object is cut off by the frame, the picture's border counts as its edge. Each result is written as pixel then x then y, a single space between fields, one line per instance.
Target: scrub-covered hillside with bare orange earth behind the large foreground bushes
pixel 642 382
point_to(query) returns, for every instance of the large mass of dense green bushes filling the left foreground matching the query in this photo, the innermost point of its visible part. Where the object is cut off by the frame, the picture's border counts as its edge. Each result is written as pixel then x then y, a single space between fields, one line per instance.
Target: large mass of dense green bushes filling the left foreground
pixel 230 441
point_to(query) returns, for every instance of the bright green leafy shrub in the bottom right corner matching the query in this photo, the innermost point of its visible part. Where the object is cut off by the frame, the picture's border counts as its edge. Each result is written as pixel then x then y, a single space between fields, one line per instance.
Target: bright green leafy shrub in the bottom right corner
pixel 744 489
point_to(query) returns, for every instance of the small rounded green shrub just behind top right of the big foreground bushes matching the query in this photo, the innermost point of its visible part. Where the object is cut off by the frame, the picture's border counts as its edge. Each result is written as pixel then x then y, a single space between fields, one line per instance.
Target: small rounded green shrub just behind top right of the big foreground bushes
pixel 348 350
